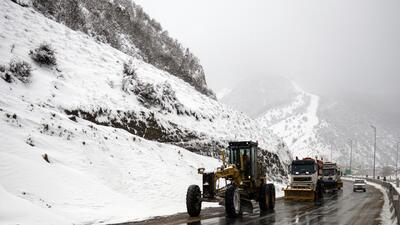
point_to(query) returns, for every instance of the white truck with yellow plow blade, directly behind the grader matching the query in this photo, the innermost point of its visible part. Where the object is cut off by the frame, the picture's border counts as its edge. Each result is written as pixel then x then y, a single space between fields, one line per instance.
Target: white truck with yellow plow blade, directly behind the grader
pixel 305 180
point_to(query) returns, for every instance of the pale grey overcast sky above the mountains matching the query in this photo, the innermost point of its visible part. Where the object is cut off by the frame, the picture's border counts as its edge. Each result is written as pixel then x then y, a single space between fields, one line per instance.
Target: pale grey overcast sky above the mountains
pixel 327 46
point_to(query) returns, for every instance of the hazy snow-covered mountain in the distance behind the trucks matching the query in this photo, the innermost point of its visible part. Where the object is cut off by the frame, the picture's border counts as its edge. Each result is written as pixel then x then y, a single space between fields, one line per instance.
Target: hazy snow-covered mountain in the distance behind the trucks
pixel 313 126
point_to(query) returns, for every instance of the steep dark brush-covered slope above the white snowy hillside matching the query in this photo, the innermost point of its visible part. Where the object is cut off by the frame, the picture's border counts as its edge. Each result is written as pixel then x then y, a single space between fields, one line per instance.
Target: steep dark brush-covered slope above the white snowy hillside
pixel 126 27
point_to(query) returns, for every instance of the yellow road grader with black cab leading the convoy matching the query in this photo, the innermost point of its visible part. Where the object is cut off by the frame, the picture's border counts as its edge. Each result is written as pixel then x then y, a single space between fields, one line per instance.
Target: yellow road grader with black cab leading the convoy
pixel 237 184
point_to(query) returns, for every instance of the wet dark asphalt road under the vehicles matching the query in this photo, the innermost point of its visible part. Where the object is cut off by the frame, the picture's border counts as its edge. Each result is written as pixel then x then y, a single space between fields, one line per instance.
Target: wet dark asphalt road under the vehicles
pixel 344 207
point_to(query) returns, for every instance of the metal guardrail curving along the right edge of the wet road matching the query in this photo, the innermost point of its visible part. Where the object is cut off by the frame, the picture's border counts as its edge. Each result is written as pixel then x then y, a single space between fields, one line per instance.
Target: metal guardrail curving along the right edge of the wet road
pixel 392 194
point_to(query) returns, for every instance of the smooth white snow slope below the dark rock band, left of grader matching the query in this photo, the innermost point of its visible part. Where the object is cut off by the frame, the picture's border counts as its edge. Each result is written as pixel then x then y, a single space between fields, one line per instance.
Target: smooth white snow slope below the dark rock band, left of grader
pixel 99 175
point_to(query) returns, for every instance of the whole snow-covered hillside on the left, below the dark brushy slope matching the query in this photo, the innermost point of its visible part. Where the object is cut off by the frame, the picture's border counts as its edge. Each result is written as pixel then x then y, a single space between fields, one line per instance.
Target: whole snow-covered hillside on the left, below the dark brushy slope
pixel 86 141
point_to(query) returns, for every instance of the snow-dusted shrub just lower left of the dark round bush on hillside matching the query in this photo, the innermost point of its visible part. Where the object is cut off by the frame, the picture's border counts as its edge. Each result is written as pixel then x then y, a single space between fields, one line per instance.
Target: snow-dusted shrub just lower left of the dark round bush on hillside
pixel 19 69
